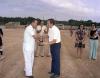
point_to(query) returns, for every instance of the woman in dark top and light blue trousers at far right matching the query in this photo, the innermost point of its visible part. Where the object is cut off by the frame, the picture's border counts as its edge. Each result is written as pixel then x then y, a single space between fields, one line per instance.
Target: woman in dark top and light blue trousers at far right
pixel 93 42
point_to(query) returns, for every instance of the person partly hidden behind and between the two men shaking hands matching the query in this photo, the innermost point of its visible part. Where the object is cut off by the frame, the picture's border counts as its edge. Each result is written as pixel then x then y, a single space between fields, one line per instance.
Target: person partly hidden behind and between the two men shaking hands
pixel 42 32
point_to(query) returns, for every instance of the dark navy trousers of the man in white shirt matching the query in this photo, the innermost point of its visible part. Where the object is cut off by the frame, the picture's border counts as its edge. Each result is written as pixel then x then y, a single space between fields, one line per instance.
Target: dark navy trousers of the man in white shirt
pixel 55 54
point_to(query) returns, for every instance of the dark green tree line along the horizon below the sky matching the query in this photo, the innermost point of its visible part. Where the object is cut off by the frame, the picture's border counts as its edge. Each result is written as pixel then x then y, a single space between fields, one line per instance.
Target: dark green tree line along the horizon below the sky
pixel 27 20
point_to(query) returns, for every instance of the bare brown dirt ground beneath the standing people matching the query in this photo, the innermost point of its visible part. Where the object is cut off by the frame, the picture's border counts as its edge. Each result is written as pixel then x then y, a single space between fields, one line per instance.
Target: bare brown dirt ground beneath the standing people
pixel 71 67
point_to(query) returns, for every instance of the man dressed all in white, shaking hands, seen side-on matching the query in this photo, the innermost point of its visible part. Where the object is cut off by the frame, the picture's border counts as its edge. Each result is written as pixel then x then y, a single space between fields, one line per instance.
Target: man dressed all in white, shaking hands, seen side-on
pixel 28 48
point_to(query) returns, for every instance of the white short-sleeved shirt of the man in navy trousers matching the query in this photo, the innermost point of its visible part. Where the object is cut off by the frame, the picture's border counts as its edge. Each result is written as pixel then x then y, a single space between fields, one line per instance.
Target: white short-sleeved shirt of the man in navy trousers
pixel 54 33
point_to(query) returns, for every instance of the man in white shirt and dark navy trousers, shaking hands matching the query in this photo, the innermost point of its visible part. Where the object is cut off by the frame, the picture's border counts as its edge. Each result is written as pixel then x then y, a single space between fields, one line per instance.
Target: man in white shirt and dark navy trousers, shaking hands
pixel 55 46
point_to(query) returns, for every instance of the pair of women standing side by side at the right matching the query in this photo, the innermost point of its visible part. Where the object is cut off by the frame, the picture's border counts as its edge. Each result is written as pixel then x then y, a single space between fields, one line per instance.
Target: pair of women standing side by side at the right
pixel 81 36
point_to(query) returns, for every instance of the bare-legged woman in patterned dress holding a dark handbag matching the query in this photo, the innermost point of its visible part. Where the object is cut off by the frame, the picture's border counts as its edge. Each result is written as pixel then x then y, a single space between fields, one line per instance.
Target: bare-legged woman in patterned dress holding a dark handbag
pixel 80 39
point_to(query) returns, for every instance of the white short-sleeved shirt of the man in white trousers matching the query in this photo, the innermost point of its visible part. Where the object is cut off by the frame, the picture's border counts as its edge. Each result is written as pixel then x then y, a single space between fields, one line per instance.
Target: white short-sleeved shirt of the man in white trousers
pixel 29 41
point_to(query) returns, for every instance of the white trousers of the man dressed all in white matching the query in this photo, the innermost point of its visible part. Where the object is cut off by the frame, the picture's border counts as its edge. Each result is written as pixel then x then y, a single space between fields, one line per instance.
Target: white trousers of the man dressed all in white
pixel 29 59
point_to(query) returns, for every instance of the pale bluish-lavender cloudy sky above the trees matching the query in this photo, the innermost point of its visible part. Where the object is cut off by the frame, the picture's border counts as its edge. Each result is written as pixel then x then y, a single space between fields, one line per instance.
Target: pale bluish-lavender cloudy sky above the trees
pixel 57 9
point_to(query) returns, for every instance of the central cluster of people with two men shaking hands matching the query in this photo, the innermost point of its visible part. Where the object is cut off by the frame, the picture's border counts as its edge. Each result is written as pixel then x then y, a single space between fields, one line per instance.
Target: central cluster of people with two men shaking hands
pixel 34 36
